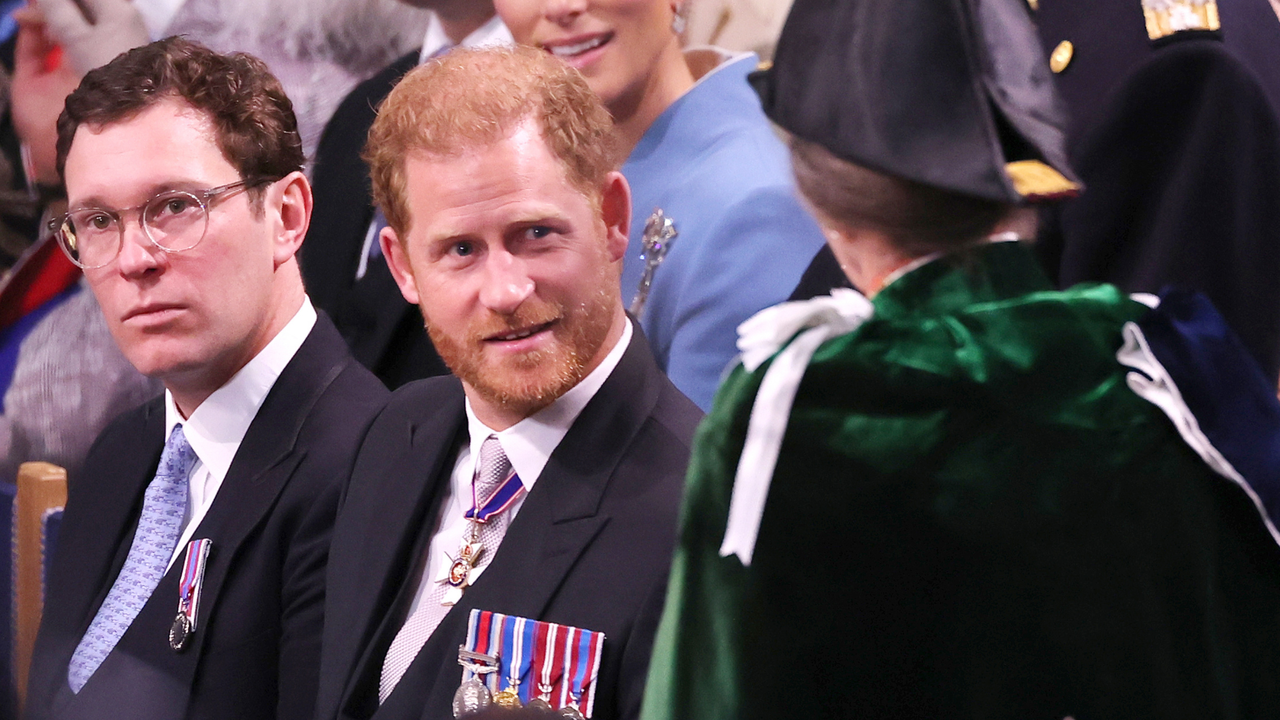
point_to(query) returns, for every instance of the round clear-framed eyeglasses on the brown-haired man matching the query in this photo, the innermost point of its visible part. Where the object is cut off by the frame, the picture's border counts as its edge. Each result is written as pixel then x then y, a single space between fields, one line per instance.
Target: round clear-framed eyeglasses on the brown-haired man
pixel 173 221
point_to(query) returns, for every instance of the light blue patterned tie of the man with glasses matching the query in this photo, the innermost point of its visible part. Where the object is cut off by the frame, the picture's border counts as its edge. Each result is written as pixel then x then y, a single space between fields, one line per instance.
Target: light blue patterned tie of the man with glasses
pixel 163 508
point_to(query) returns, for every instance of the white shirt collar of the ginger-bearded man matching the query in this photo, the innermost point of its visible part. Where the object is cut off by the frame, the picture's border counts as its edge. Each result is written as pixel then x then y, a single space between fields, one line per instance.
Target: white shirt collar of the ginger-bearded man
pixel 531 443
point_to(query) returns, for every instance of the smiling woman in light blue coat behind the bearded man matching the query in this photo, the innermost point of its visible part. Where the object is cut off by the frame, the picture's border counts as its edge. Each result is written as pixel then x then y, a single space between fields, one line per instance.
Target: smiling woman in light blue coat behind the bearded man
pixel 719 233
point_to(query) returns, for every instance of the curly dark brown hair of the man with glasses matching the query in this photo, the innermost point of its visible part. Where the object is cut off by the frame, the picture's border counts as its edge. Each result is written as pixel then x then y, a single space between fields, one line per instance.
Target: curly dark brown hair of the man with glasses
pixel 257 130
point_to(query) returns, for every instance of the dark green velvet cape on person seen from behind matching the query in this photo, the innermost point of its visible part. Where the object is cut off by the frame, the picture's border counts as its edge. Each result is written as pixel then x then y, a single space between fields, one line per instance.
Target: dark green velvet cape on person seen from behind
pixel 972 517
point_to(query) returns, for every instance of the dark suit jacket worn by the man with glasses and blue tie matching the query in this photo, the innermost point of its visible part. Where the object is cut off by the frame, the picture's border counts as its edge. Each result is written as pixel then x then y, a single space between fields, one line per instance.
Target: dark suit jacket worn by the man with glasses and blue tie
pixel 257 648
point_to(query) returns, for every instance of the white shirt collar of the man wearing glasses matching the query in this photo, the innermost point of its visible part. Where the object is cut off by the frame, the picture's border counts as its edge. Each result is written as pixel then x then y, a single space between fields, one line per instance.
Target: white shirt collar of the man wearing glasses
pixel 217 429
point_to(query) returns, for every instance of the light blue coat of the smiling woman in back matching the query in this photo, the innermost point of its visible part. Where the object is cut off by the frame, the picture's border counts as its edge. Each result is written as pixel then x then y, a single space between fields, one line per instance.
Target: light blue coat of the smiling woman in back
pixel 715 166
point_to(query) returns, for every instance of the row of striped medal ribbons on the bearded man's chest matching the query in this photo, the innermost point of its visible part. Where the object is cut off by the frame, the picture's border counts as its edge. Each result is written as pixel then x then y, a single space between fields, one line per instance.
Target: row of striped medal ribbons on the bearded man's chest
pixel 556 663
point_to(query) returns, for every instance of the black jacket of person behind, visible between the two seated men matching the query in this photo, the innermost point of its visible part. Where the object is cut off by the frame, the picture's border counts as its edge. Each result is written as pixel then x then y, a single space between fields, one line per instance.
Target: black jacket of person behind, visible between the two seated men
pixel 385 332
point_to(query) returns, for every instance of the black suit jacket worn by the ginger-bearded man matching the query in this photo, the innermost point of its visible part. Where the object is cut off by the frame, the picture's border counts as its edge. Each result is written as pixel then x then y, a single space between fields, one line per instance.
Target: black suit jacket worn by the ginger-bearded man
pixel 591 548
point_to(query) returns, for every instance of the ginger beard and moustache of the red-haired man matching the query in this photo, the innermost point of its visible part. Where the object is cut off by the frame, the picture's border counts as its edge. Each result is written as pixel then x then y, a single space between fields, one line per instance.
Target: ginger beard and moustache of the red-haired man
pixel 532 381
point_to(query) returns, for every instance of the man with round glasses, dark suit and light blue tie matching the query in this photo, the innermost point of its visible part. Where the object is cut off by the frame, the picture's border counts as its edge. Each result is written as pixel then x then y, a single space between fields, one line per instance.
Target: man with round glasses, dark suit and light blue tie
pixel 190 572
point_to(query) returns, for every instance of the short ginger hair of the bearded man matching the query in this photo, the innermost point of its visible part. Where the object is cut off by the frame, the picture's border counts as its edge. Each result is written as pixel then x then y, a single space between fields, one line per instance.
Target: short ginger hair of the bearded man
pixel 470 99
